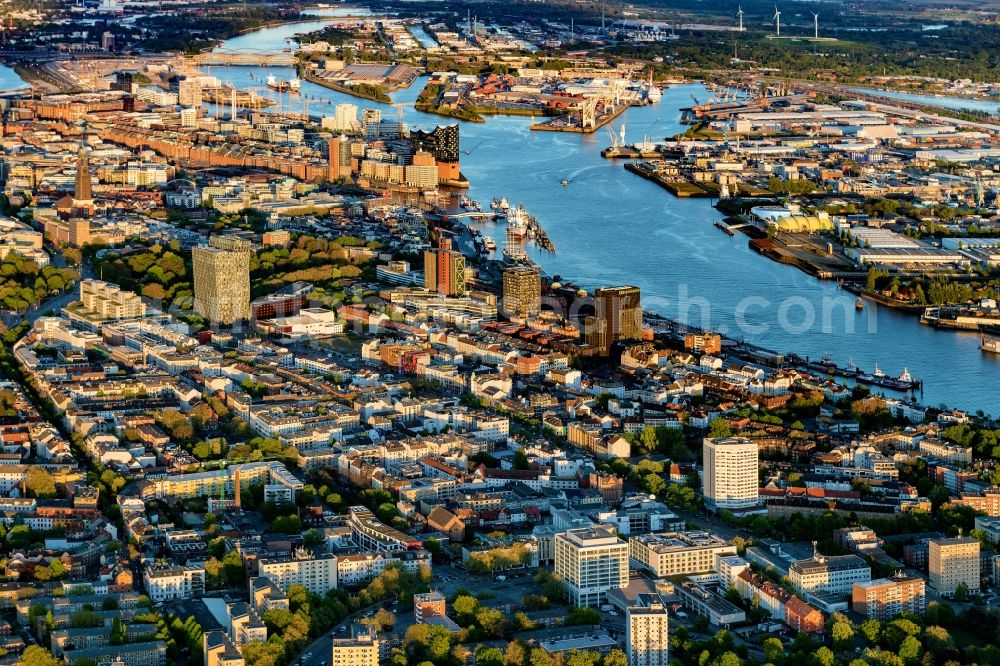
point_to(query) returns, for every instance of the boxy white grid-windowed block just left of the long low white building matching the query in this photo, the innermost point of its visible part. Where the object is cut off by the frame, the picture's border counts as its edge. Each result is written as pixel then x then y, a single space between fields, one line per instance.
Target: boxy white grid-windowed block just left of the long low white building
pixel 591 561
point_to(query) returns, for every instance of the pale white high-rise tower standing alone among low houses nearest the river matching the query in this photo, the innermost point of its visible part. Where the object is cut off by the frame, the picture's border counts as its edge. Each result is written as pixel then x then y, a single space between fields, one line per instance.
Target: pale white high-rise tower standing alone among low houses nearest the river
pixel 730 477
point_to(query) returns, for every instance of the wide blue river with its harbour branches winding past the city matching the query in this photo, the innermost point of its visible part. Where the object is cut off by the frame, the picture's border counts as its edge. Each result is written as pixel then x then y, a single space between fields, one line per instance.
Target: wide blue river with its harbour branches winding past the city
pixel 611 227
